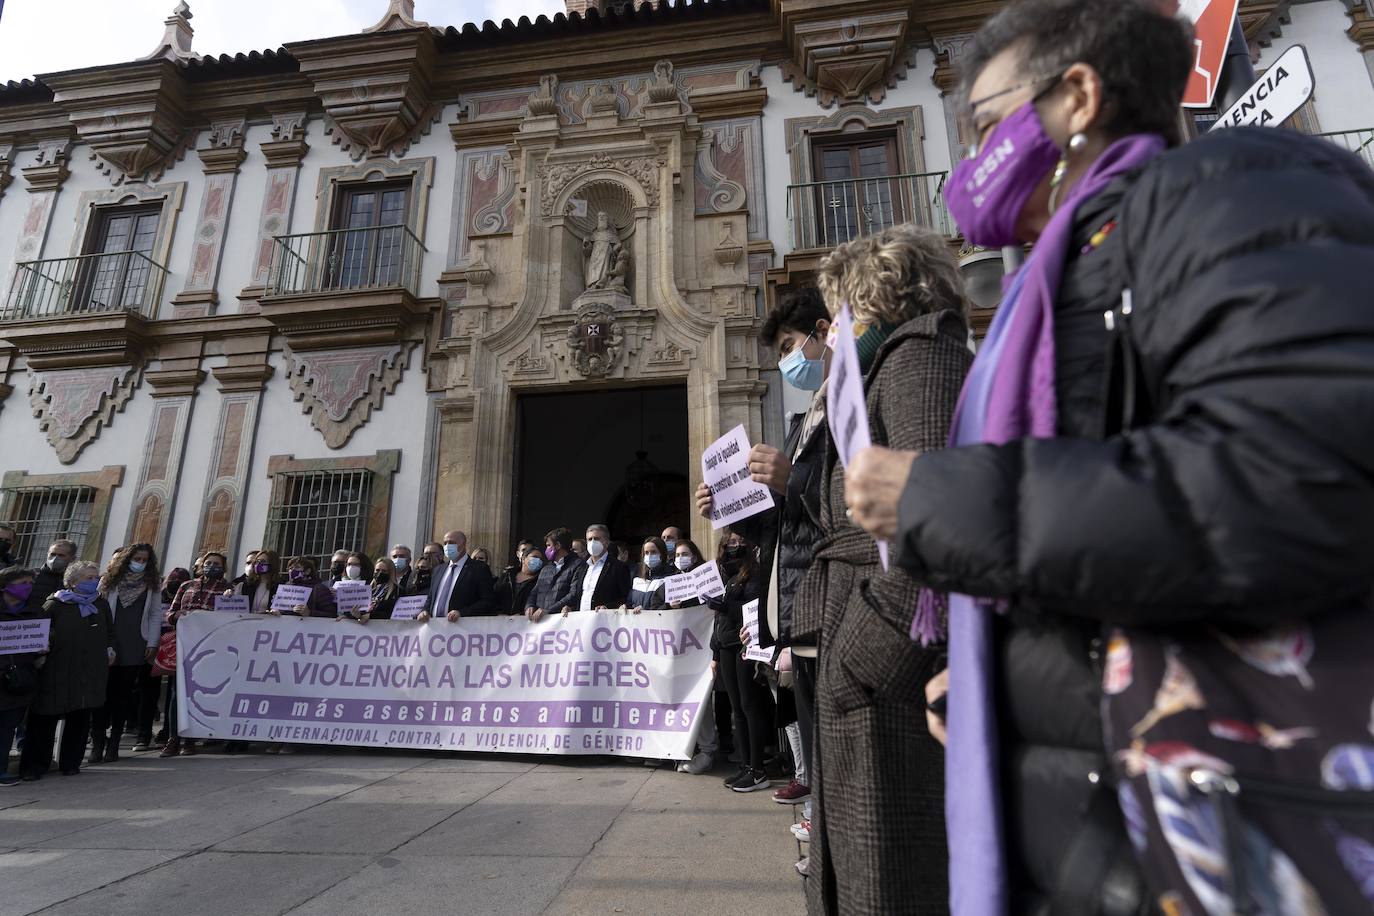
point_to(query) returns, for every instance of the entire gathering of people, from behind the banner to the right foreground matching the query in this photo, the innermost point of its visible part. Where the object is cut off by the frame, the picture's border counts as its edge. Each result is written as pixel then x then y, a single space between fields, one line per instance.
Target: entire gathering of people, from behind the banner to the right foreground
pixel 1116 661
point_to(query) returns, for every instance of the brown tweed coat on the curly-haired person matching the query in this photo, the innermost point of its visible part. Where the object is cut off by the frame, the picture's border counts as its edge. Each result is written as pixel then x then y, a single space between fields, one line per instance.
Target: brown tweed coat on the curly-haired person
pixel 879 838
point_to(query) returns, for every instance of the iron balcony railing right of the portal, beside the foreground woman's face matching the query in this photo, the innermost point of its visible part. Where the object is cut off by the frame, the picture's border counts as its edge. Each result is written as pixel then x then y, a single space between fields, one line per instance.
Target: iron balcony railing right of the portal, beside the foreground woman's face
pixel 822 215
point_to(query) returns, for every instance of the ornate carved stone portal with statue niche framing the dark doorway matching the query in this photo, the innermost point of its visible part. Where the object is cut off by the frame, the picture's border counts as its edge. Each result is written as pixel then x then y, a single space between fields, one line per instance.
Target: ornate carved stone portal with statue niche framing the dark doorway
pixel 611 273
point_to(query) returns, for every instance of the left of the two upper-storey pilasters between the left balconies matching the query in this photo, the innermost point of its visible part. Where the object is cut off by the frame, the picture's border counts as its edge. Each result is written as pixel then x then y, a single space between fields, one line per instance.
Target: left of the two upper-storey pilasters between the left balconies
pixel 222 161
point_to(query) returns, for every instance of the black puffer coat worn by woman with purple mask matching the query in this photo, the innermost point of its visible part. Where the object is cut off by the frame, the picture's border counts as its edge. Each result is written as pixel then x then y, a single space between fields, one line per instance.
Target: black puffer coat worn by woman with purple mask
pixel 1244 495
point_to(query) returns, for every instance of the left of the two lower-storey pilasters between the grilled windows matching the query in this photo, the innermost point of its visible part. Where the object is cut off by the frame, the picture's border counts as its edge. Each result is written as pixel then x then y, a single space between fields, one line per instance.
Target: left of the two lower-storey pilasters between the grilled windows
pixel 174 392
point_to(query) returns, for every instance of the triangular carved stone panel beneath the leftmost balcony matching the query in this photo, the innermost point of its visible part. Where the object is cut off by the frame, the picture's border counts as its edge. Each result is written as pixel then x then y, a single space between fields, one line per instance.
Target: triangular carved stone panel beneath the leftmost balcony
pixel 74 404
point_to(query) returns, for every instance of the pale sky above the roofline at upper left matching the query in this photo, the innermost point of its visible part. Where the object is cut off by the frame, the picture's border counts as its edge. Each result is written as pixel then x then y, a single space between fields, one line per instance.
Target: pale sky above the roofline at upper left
pixel 45 36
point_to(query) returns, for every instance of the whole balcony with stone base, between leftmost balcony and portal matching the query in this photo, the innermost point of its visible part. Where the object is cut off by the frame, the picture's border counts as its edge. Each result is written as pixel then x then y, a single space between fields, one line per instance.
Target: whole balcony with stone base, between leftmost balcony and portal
pixel 346 286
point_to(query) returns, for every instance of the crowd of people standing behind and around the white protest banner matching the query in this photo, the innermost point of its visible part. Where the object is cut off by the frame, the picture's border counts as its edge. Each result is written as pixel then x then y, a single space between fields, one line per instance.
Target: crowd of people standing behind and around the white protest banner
pixel 106 672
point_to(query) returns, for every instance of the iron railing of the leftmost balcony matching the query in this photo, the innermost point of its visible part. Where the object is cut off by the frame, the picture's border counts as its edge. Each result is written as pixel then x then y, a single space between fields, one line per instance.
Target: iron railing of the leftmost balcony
pixel 90 284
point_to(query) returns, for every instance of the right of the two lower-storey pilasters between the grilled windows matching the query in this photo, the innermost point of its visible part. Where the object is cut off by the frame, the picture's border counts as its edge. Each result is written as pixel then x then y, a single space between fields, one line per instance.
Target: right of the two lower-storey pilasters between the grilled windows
pixel 227 479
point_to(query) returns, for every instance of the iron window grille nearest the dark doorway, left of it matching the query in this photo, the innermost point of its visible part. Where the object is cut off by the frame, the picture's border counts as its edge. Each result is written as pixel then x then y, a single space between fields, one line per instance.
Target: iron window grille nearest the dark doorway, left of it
pixel 317 513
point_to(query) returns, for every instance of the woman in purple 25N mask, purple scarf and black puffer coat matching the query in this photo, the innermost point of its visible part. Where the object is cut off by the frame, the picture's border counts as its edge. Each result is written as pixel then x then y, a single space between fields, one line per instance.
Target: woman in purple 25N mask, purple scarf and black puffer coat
pixel 1155 521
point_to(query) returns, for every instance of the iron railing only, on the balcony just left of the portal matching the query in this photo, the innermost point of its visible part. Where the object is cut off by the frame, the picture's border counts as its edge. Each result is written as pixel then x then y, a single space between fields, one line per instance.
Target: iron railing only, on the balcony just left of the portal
pixel 346 260
